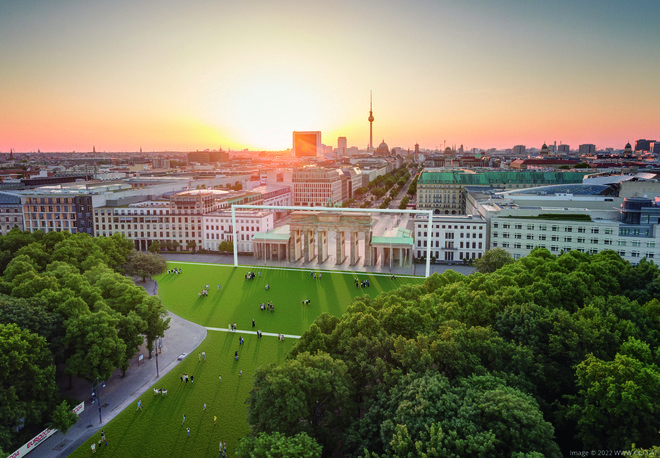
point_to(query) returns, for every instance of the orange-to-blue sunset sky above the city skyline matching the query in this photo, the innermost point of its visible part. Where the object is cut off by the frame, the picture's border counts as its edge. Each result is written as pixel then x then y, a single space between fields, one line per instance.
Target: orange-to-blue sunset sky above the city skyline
pixel 181 75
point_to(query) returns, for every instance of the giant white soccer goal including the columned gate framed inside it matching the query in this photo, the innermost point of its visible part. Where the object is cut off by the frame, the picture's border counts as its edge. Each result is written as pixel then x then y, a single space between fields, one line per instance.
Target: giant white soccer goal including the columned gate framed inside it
pixel 329 238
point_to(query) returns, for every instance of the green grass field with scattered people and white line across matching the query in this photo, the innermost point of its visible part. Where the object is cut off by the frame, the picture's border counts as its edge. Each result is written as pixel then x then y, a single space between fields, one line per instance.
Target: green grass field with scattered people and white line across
pixel 157 429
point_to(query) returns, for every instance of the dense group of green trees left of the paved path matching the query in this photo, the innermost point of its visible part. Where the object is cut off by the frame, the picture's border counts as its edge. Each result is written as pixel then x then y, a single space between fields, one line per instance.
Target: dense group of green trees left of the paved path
pixel 65 302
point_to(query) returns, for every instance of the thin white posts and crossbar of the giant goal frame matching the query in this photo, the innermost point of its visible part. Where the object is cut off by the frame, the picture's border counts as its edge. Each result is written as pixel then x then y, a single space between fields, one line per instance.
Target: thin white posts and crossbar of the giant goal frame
pixel 428 213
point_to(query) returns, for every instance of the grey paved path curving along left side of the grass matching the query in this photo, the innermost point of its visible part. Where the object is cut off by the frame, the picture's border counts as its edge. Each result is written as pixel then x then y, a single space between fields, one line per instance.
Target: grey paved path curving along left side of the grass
pixel 182 337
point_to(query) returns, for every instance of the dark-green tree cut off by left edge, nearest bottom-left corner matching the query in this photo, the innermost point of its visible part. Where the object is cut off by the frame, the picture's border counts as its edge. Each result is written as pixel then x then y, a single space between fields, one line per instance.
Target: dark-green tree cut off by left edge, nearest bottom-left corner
pixel 27 380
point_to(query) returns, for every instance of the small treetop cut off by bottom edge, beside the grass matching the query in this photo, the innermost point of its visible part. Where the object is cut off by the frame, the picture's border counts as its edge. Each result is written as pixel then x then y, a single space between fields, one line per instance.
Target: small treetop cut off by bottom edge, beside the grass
pixel 277 445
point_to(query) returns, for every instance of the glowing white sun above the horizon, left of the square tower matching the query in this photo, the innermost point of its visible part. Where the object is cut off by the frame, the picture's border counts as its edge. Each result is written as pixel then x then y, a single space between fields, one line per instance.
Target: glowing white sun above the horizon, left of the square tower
pixel 261 110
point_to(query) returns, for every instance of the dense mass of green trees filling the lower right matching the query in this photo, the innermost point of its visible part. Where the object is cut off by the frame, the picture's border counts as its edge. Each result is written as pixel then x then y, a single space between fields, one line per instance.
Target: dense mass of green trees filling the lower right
pixel 542 356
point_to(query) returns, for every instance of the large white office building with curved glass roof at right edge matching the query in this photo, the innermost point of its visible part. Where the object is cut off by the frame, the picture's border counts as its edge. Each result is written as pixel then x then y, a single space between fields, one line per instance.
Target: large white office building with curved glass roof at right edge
pixel 590 222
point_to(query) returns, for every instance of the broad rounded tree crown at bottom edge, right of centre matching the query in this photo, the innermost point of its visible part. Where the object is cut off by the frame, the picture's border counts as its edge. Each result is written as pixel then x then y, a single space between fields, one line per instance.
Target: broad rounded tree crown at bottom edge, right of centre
pixel 479 416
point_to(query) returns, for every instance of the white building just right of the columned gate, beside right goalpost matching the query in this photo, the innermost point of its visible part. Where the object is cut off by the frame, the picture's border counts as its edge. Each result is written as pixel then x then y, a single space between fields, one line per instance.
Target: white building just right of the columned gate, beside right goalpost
pixel 453 238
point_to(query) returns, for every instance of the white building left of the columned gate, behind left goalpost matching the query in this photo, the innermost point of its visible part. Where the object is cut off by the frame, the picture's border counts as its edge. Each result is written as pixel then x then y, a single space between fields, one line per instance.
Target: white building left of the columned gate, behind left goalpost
pixel 218 228
